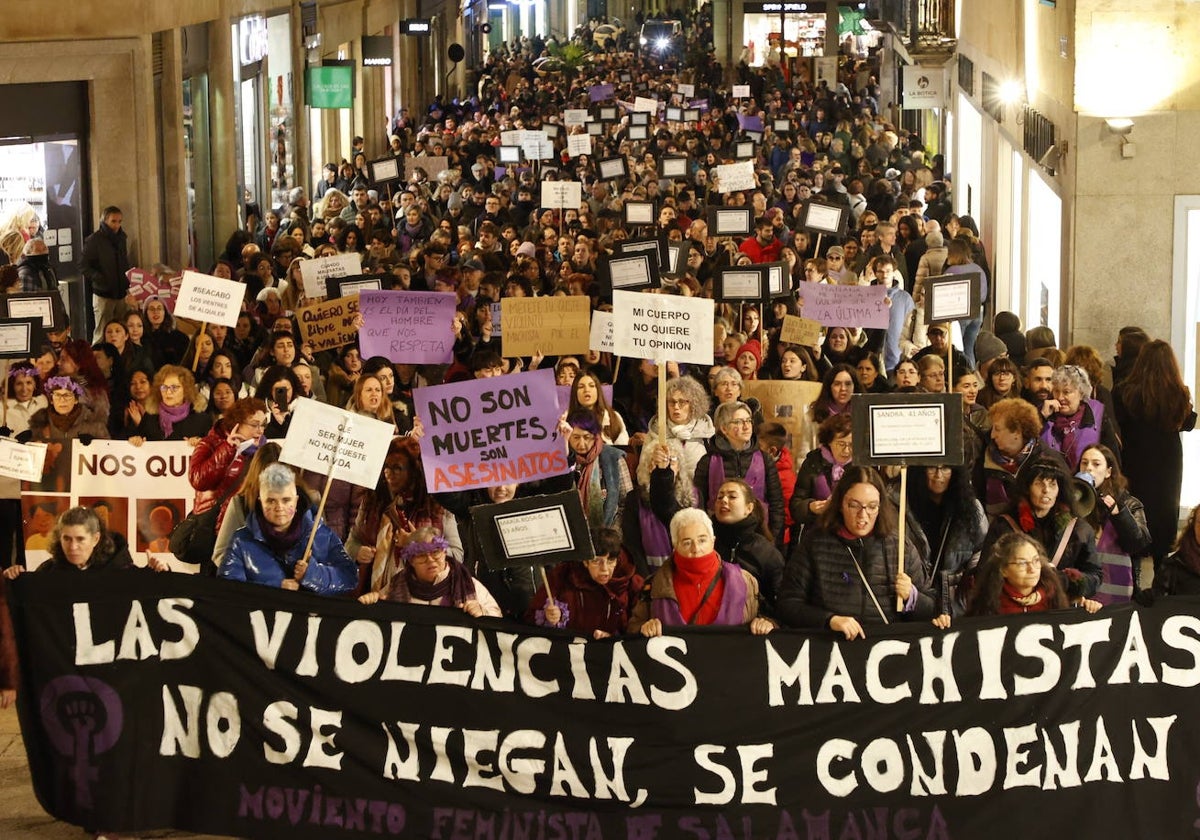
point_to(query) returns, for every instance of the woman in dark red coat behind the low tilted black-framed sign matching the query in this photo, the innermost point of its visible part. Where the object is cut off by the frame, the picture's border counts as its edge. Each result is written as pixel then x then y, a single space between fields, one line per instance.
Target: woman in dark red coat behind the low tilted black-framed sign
pixel 593 597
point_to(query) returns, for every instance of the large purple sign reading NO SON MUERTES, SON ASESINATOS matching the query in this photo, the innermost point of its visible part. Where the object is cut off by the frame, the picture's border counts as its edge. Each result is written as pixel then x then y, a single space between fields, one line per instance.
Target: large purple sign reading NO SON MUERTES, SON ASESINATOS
pixel 493 431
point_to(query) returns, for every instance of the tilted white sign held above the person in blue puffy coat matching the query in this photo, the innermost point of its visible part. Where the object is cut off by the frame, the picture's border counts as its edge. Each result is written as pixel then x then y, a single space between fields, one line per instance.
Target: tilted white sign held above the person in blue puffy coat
pixel 322 437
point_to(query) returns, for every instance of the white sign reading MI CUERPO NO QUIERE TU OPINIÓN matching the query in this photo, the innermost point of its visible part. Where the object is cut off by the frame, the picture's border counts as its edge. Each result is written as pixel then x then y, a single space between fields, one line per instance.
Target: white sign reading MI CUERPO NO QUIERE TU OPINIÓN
pixel 663 327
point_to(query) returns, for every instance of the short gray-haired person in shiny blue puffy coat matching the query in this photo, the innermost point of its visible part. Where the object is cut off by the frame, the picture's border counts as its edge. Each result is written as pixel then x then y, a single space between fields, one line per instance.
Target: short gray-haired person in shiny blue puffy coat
pixel 271 548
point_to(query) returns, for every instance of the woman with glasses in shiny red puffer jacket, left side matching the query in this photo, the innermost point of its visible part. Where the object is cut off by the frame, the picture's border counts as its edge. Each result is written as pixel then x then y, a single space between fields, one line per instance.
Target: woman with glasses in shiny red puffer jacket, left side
pixel 221 458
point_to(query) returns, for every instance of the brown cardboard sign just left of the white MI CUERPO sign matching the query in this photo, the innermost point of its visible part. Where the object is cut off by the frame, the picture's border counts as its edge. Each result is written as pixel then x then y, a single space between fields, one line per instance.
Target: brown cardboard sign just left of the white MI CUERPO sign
pixel 553 326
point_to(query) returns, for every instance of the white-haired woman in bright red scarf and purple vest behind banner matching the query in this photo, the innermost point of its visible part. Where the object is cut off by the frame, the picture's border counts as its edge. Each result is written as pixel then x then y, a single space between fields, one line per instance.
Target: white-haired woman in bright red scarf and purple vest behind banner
pixel 697 587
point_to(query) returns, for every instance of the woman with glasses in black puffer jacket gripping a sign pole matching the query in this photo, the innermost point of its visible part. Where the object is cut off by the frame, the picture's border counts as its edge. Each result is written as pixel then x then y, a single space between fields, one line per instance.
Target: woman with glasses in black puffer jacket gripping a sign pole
pixel 844 575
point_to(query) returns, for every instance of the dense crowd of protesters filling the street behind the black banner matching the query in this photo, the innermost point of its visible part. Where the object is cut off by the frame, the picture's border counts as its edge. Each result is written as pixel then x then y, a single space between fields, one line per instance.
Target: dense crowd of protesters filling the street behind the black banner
pixel 1072 467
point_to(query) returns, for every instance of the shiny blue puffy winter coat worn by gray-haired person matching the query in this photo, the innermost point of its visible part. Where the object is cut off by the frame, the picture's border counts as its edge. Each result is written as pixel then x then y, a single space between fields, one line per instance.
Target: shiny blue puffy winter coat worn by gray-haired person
pixel 331 569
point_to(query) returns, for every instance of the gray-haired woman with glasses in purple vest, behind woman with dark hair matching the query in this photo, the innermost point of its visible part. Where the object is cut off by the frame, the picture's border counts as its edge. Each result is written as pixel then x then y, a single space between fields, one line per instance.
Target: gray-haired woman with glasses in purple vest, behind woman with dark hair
pixel 735 454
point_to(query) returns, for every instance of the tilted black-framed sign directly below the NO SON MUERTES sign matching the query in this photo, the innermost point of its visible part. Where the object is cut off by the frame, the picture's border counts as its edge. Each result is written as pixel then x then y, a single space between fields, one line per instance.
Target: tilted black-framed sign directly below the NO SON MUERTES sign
pixel 533 531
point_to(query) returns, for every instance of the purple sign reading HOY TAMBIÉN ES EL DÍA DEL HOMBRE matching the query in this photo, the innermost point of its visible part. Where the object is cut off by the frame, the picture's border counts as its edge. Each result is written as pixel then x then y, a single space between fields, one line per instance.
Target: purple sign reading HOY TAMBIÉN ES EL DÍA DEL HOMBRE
pixel 416 328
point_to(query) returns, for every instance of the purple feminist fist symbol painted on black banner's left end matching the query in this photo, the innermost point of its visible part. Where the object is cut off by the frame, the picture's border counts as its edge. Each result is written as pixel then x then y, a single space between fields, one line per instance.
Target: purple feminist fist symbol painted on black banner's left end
pixel 83 718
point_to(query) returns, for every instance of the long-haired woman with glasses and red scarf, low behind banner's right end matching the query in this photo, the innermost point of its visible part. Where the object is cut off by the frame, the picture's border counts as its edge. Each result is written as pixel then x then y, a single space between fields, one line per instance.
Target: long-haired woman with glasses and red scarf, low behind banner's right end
pixel 1018 578
